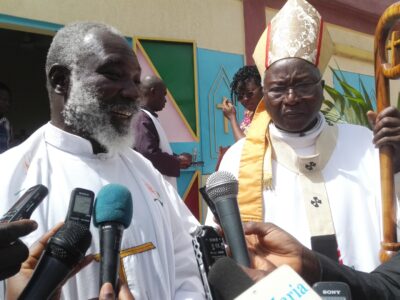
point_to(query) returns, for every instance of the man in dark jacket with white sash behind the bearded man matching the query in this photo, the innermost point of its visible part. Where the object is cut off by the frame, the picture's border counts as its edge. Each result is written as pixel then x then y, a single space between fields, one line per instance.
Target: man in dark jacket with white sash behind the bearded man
pixel 150 138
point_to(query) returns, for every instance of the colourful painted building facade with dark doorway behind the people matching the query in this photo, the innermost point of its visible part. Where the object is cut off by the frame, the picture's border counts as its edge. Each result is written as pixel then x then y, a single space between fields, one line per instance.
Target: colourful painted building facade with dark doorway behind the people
pixel 194 46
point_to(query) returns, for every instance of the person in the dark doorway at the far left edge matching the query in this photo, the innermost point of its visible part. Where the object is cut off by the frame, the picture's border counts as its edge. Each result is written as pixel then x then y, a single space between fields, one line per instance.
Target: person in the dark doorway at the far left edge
pixel 5 127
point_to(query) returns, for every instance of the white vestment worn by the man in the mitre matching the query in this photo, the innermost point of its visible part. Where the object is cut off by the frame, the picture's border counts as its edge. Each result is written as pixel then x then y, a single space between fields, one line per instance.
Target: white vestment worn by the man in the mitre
pixel 352 184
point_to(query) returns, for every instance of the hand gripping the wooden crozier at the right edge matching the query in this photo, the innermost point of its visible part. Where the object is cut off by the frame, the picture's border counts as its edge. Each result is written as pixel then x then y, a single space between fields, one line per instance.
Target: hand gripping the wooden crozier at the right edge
pixel 386 128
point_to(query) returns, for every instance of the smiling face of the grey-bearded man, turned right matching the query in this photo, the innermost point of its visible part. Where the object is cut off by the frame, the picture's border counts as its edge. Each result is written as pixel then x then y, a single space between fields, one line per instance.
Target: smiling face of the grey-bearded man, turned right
pixel 104 91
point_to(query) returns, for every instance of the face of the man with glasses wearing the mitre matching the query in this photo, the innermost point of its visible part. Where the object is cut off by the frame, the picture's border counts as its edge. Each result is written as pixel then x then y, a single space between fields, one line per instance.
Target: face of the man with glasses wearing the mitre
pixel 293 94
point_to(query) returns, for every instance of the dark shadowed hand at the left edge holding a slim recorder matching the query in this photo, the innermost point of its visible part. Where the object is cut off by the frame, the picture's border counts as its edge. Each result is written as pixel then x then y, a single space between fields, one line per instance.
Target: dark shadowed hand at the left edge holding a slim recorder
pixel 13 252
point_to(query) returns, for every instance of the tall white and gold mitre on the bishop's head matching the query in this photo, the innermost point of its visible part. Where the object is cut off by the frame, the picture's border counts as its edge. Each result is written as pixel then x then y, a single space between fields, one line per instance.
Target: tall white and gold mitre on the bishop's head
pixel 297 30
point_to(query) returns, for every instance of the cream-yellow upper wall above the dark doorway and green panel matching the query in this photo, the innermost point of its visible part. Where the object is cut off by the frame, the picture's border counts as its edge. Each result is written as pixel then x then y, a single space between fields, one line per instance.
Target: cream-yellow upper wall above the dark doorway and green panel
pixel 212 24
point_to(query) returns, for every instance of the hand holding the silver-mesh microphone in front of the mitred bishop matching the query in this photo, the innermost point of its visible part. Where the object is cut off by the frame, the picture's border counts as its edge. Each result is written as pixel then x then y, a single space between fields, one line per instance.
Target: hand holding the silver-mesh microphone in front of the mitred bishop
pixel 270 247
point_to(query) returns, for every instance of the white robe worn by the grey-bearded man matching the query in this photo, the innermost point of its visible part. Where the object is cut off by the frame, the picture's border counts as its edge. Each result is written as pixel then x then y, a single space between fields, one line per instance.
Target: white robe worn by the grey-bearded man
pixel 62 162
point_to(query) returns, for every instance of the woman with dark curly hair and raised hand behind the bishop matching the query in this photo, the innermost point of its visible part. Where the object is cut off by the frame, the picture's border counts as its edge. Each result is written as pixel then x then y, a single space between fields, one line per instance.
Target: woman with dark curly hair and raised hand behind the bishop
pixel 245 88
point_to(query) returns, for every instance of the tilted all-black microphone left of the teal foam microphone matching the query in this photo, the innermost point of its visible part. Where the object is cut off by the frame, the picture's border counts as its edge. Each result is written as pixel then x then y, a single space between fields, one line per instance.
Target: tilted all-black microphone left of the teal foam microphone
pixel 63 252
